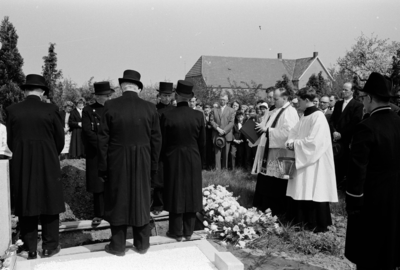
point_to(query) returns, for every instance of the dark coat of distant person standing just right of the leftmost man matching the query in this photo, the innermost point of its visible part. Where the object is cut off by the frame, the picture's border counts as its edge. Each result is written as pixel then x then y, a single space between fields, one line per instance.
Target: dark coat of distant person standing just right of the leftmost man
pixel 76 149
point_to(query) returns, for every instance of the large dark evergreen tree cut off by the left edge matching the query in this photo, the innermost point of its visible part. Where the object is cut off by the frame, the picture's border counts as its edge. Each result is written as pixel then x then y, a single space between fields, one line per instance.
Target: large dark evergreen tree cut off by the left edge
pixel 11 75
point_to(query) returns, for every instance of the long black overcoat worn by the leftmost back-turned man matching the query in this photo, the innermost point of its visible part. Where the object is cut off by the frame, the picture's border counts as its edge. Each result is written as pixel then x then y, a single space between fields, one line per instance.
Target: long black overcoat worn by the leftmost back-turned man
pixel 35 135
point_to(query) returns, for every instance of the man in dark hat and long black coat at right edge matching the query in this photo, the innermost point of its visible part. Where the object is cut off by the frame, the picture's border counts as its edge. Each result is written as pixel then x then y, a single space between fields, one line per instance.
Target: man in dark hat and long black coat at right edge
pixel 373 182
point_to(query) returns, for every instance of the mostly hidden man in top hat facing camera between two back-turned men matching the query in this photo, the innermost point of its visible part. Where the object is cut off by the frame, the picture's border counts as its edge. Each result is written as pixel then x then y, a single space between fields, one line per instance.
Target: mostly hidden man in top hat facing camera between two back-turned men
pixel 165 93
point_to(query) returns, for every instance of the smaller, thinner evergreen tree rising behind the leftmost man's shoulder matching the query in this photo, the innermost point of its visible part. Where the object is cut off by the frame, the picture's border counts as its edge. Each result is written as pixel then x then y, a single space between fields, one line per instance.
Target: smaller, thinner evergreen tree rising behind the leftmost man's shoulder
pixel 50 72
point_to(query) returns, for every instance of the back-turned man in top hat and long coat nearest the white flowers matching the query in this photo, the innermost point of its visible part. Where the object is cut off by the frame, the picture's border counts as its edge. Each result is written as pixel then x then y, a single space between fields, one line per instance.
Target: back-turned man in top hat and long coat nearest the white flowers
pixel 182 153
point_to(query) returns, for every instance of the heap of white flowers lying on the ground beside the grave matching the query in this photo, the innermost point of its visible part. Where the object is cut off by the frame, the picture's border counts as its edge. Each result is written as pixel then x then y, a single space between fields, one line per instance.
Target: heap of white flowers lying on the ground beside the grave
pixel 227 220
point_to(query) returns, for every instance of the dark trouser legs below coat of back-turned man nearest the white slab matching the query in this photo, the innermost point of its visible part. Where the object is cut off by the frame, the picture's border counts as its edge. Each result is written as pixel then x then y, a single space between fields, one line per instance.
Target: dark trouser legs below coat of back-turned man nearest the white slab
pixel 141 237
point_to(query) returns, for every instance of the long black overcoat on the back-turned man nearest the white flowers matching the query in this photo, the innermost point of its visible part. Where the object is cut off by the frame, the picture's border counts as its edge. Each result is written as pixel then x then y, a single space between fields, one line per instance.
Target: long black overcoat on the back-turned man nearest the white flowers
pixel 183 149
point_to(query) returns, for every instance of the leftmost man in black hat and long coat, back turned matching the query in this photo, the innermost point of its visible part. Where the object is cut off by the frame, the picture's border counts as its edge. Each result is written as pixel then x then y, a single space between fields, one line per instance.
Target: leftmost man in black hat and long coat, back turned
pixel 35 135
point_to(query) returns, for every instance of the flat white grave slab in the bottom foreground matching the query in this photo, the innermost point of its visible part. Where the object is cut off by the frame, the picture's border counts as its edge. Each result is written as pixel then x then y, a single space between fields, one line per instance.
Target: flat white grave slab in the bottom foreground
pixel 198 254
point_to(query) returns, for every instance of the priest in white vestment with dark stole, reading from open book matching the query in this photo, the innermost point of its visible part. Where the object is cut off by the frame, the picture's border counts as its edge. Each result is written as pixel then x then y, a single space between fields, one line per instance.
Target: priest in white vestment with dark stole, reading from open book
pixel 271 184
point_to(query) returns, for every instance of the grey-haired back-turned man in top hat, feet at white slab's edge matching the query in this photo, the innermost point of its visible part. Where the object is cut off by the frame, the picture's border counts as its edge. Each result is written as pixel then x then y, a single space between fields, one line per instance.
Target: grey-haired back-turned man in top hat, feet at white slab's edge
pixel 129 146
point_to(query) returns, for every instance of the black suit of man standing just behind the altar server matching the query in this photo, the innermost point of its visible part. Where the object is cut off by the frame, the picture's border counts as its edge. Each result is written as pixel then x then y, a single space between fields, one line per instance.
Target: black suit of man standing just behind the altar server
pixel 344 123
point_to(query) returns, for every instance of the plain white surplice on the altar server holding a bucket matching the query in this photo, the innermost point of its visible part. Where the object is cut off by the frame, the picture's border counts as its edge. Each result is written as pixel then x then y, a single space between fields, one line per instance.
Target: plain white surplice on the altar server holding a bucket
pixel 314 179
